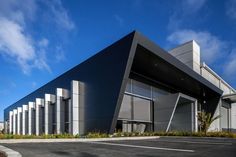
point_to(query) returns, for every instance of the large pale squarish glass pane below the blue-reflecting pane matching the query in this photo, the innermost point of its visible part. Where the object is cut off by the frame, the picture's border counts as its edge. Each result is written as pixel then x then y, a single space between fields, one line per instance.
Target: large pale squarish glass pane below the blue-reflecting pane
pixel 142 109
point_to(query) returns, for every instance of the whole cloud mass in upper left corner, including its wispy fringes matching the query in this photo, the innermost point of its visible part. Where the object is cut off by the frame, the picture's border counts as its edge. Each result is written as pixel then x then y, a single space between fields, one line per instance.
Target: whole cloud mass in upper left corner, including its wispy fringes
pixel 16 43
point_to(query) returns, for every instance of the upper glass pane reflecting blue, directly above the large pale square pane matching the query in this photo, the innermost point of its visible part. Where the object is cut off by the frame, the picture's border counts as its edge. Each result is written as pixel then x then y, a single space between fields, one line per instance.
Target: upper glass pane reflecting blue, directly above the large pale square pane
pixel 141 89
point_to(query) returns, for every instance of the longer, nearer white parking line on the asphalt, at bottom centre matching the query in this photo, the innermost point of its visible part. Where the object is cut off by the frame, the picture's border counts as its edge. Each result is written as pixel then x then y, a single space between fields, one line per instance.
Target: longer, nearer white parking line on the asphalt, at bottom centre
pixel 143 147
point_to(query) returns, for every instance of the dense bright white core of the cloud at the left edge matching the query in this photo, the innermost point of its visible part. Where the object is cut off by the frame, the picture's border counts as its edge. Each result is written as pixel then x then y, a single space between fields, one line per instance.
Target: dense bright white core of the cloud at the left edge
pixel 15 43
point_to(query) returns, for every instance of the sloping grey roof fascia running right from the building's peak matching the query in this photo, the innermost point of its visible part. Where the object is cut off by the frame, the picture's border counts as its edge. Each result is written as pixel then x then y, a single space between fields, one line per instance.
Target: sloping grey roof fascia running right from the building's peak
pixel 153 47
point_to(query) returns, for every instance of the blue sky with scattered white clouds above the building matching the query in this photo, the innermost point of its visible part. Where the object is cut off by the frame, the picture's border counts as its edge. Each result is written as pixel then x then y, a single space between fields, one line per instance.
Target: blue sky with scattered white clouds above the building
pixel 40 40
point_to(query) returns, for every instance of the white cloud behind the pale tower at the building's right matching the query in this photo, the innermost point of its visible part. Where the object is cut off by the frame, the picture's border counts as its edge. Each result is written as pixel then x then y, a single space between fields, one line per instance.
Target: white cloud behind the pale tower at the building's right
pixel 211 46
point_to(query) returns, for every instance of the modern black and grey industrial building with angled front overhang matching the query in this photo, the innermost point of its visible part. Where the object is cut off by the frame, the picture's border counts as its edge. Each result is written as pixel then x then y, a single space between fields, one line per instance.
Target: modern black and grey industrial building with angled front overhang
pixel 132 85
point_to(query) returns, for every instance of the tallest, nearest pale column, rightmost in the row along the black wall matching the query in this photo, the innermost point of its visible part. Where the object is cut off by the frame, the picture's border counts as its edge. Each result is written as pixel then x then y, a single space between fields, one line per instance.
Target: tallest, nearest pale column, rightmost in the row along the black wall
pixel 77 107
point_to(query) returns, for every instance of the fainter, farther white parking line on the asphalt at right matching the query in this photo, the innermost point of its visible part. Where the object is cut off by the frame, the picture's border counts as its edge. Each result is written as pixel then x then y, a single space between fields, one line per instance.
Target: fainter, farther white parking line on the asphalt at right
pixel 197 142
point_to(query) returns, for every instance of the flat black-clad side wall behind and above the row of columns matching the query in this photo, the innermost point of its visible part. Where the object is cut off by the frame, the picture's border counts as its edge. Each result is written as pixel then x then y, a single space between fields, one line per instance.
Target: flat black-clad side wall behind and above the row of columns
pixel 102 75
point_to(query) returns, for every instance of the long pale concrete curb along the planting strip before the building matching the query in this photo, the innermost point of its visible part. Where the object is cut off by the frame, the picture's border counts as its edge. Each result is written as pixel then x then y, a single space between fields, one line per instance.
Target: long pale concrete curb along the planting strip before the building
pixel 76 139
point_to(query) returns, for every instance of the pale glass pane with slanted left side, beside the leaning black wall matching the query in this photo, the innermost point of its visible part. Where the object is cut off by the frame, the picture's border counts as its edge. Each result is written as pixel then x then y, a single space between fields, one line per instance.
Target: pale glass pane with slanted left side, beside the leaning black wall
pixel 125 110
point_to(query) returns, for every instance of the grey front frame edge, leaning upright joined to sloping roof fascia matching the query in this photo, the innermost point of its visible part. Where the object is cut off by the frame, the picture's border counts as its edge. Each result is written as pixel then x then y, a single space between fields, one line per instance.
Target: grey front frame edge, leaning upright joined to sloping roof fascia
pixel 139 39
